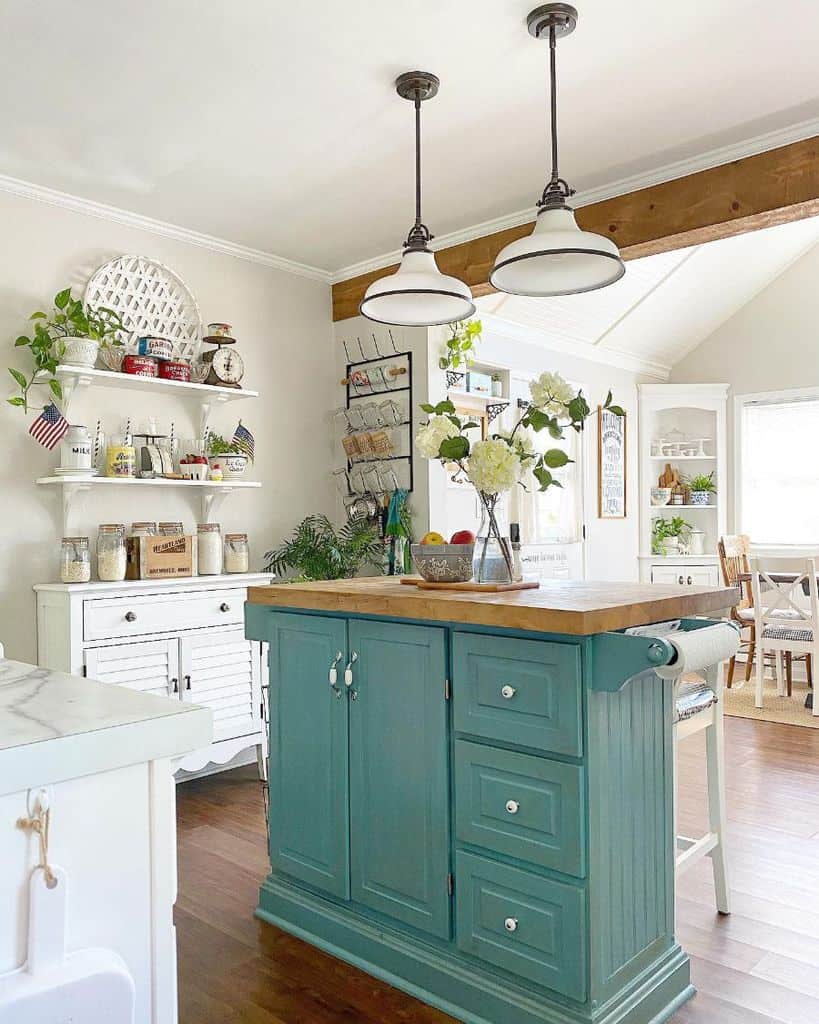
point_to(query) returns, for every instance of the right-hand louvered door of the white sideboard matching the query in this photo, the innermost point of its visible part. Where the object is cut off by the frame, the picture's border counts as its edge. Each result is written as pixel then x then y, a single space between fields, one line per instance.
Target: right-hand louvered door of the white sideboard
pixel 222 670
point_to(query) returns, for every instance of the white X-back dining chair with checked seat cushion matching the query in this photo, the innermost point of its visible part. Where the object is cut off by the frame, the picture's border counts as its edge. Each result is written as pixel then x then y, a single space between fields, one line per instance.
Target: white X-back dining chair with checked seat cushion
pixel 784 626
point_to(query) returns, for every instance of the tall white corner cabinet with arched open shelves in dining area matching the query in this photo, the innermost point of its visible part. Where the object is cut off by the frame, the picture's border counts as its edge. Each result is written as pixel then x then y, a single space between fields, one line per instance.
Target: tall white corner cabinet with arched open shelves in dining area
pixel 693 411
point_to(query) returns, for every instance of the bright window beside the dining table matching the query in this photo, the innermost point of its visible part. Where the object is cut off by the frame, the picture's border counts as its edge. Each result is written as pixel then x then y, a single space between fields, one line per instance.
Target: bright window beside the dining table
pixel 779 467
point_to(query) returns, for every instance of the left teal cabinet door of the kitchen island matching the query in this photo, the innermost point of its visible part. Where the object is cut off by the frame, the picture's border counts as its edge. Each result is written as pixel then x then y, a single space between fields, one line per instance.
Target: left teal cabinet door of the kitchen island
pixel 309 769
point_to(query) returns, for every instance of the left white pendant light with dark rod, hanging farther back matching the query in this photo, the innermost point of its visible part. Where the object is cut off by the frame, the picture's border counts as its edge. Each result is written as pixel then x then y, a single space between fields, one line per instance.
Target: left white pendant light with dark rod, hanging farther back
pixel 418 294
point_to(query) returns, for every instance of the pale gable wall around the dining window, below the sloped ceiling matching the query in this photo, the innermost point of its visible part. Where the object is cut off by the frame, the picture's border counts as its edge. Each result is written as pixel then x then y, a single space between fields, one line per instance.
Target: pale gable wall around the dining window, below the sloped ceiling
pixel 769 346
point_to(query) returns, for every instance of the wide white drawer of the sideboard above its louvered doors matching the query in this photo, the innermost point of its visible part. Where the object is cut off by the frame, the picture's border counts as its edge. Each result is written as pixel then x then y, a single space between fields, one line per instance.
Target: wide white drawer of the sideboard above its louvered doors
pixel 127 617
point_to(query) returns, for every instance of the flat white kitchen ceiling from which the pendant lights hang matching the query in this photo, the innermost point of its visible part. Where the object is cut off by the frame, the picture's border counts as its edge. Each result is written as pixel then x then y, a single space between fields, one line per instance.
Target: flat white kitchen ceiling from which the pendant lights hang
pixel 275 124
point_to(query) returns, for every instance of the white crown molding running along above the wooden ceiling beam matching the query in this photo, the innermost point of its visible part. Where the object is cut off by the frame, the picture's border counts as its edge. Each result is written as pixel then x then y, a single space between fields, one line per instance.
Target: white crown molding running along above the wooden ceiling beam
pixel 634 183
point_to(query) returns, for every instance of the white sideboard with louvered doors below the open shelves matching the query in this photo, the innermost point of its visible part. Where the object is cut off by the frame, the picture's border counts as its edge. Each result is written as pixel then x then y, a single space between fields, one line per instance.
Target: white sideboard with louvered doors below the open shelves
pixel 182 638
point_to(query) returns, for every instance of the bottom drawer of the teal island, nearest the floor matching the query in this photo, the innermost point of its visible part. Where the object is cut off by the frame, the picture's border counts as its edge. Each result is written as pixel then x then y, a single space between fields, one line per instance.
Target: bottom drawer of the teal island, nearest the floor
pixel 527 925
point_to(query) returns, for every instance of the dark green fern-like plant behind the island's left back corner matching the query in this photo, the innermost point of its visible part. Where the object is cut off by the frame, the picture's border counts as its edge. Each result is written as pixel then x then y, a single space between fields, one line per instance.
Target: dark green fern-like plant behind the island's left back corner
pixel 319 551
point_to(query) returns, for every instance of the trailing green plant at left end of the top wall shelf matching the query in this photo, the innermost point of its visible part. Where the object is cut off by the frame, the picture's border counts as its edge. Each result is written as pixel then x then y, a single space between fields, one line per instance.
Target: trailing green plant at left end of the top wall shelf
pixel 69 319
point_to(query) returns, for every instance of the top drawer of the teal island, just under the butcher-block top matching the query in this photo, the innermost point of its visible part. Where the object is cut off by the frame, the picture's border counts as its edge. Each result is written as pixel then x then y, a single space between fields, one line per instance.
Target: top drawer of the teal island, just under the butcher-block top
pixel 520 692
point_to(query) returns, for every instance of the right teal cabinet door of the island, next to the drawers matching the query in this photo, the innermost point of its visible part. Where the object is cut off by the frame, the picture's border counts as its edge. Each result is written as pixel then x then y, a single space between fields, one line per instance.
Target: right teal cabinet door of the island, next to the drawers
pixel 400 836
